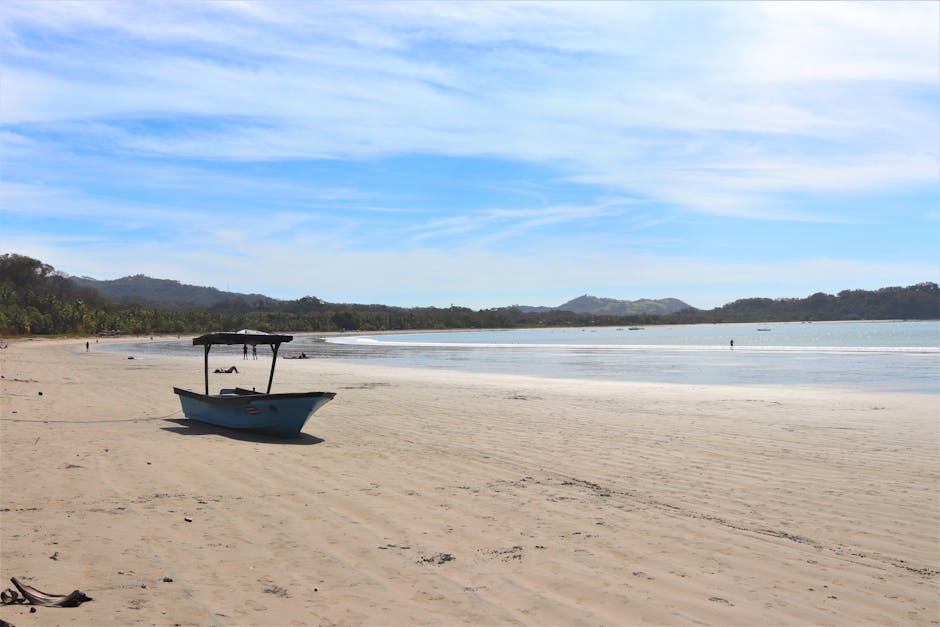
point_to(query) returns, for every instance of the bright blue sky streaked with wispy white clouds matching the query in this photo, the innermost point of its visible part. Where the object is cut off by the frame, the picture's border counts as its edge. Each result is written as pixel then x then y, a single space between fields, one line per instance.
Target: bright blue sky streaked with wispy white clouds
pixel 477 154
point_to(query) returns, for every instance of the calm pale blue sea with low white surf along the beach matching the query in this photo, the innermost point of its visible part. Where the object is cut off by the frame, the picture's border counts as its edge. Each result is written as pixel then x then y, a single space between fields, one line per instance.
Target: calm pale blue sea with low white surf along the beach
pixel 890 355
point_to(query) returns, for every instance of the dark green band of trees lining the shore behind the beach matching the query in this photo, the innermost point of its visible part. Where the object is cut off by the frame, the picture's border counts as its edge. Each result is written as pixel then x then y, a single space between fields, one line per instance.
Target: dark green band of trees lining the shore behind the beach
pixel 36 299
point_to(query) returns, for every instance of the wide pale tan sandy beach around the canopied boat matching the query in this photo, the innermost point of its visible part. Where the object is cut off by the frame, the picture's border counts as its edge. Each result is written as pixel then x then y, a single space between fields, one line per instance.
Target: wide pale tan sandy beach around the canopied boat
pixel 430 497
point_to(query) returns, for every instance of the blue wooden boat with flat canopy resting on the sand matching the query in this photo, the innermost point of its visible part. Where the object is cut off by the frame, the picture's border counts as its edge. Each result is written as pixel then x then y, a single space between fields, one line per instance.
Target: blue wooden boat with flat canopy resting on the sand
pixel 281 414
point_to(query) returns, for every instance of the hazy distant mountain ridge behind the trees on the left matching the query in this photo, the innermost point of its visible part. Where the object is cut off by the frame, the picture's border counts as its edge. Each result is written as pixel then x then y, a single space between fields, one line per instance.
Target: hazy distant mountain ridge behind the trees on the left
pixel 169 294
